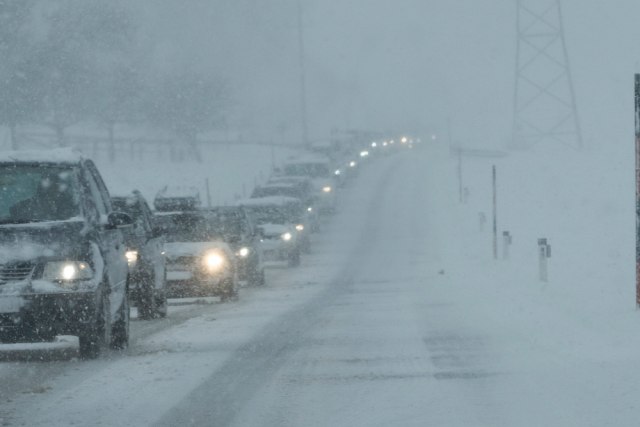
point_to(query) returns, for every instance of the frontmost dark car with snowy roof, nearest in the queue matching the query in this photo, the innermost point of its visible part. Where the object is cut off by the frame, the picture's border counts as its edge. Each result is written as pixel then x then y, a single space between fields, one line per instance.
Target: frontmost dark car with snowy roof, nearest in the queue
pixel 62 255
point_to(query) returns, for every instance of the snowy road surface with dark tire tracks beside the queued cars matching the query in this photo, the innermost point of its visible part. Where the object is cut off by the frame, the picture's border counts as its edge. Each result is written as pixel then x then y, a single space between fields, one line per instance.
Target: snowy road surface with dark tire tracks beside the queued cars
pixel 393 320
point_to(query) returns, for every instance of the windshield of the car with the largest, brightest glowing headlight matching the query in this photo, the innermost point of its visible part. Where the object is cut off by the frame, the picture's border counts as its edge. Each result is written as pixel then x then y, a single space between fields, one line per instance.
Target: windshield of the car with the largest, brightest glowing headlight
pixel 187 227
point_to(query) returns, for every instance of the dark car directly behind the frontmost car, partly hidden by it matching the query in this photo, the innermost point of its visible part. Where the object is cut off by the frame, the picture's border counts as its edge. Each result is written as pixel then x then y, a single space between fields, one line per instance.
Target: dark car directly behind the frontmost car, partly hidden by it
pixel 147 268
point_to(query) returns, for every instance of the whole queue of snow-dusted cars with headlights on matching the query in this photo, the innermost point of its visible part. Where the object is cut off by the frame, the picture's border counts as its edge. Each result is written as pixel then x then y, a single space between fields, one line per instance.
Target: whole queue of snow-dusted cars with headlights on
pixel 72 257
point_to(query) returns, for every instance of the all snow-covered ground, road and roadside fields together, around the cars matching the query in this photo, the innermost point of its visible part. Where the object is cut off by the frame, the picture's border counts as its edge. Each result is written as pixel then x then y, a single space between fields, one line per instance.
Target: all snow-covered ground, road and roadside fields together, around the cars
pixel 400 316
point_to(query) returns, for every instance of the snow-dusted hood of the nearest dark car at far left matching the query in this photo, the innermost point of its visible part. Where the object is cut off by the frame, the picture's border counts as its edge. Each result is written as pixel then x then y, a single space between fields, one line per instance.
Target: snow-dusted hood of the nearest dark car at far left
pixel 26 242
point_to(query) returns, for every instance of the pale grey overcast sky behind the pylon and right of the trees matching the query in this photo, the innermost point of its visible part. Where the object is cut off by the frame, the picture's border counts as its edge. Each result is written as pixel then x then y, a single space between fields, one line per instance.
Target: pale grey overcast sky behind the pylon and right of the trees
pixel 394 64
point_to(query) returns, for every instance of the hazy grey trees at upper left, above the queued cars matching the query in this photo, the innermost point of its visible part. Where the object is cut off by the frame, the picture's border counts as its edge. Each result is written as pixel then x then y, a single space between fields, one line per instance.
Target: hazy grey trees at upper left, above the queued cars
pixel 64 62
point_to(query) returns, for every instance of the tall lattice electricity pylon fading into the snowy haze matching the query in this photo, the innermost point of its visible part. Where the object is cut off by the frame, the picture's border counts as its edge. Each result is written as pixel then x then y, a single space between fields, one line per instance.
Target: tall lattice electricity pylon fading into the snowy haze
pixel 544 98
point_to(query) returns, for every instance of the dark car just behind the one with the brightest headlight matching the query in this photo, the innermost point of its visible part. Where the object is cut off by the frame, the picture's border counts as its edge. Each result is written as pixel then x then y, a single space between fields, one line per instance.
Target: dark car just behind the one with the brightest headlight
pixel 239 231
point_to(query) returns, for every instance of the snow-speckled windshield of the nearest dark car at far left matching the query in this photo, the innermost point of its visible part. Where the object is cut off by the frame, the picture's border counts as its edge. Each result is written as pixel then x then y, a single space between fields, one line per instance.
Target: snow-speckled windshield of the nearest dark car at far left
pixel 34 193
